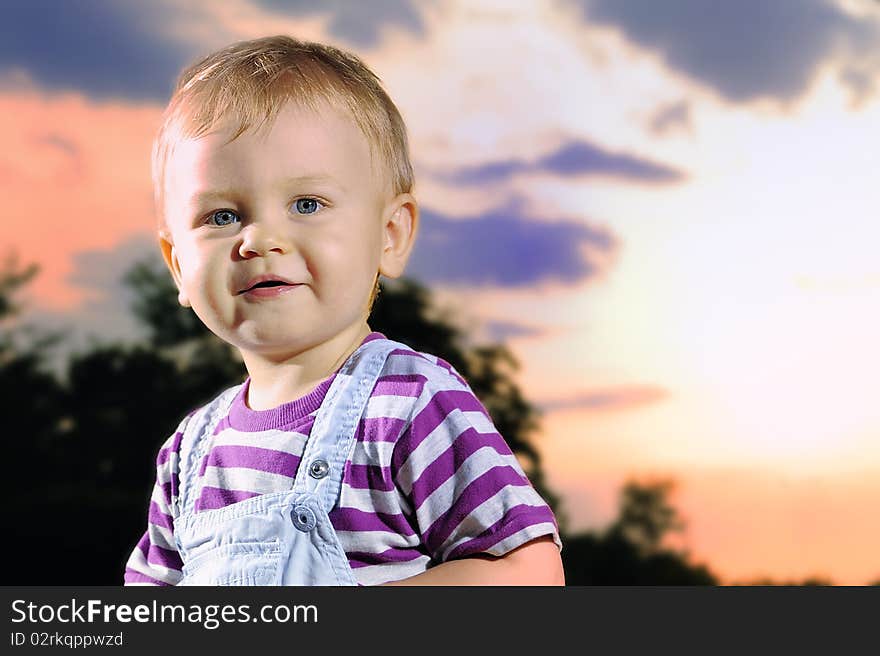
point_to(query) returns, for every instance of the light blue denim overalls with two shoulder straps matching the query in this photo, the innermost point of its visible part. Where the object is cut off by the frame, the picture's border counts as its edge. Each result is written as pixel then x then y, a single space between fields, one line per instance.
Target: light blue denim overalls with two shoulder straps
pixel 282 538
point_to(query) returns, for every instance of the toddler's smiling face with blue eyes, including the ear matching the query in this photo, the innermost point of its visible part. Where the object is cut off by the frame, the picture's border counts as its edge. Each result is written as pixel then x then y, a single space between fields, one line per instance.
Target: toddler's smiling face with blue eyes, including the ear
pixel 298 201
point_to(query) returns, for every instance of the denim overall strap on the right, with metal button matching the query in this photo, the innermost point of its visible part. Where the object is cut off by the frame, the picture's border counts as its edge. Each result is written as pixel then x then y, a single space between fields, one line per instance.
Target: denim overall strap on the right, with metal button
pixel 332 437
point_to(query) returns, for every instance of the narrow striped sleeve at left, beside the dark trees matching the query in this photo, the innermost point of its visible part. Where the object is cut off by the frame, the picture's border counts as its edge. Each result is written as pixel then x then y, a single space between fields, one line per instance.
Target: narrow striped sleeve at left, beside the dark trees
pixel 155 560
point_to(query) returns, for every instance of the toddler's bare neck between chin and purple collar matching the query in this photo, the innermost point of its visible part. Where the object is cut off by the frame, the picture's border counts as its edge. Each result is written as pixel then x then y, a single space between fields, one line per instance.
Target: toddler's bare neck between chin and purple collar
pixel 275 381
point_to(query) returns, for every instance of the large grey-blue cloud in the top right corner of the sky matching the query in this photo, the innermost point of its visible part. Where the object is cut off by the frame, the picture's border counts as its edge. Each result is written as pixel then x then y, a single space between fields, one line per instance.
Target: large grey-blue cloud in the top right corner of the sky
pixel 744 50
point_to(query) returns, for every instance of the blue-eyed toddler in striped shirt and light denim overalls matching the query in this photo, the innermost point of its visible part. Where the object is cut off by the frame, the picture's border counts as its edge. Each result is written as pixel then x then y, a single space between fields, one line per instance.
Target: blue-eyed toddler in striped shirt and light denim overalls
pixel 283 181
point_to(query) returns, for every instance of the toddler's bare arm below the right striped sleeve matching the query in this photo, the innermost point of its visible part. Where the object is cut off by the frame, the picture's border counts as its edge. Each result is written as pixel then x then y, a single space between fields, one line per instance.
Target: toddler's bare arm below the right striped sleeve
pixel 534 563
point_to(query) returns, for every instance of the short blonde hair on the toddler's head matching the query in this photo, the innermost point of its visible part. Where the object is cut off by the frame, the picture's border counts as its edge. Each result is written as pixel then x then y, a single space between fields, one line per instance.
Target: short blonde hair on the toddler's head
pixel 250 81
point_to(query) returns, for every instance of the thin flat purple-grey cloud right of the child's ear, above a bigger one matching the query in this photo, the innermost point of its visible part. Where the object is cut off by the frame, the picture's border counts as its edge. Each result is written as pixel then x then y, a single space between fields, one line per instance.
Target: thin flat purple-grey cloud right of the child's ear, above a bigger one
pixel 571 159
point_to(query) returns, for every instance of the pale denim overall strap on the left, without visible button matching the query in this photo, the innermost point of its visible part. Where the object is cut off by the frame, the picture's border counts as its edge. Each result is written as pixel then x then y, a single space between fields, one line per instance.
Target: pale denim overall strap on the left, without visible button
pixel 195 441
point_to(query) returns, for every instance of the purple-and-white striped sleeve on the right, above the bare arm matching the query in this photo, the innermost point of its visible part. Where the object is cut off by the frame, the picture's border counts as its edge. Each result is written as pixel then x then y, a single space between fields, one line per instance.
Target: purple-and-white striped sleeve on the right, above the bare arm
pixel 467 490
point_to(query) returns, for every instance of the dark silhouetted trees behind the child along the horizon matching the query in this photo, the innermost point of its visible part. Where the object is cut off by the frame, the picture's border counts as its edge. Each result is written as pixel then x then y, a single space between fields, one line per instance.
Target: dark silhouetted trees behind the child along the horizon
pixel 83 439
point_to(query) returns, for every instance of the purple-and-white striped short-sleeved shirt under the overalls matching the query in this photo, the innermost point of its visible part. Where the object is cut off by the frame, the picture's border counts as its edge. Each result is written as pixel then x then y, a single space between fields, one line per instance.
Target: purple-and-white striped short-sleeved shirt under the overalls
pixel 429 480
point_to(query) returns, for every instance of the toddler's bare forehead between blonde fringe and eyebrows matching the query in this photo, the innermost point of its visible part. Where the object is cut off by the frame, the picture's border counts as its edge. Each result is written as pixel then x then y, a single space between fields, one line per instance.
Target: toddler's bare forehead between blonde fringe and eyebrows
pixel 299 143
